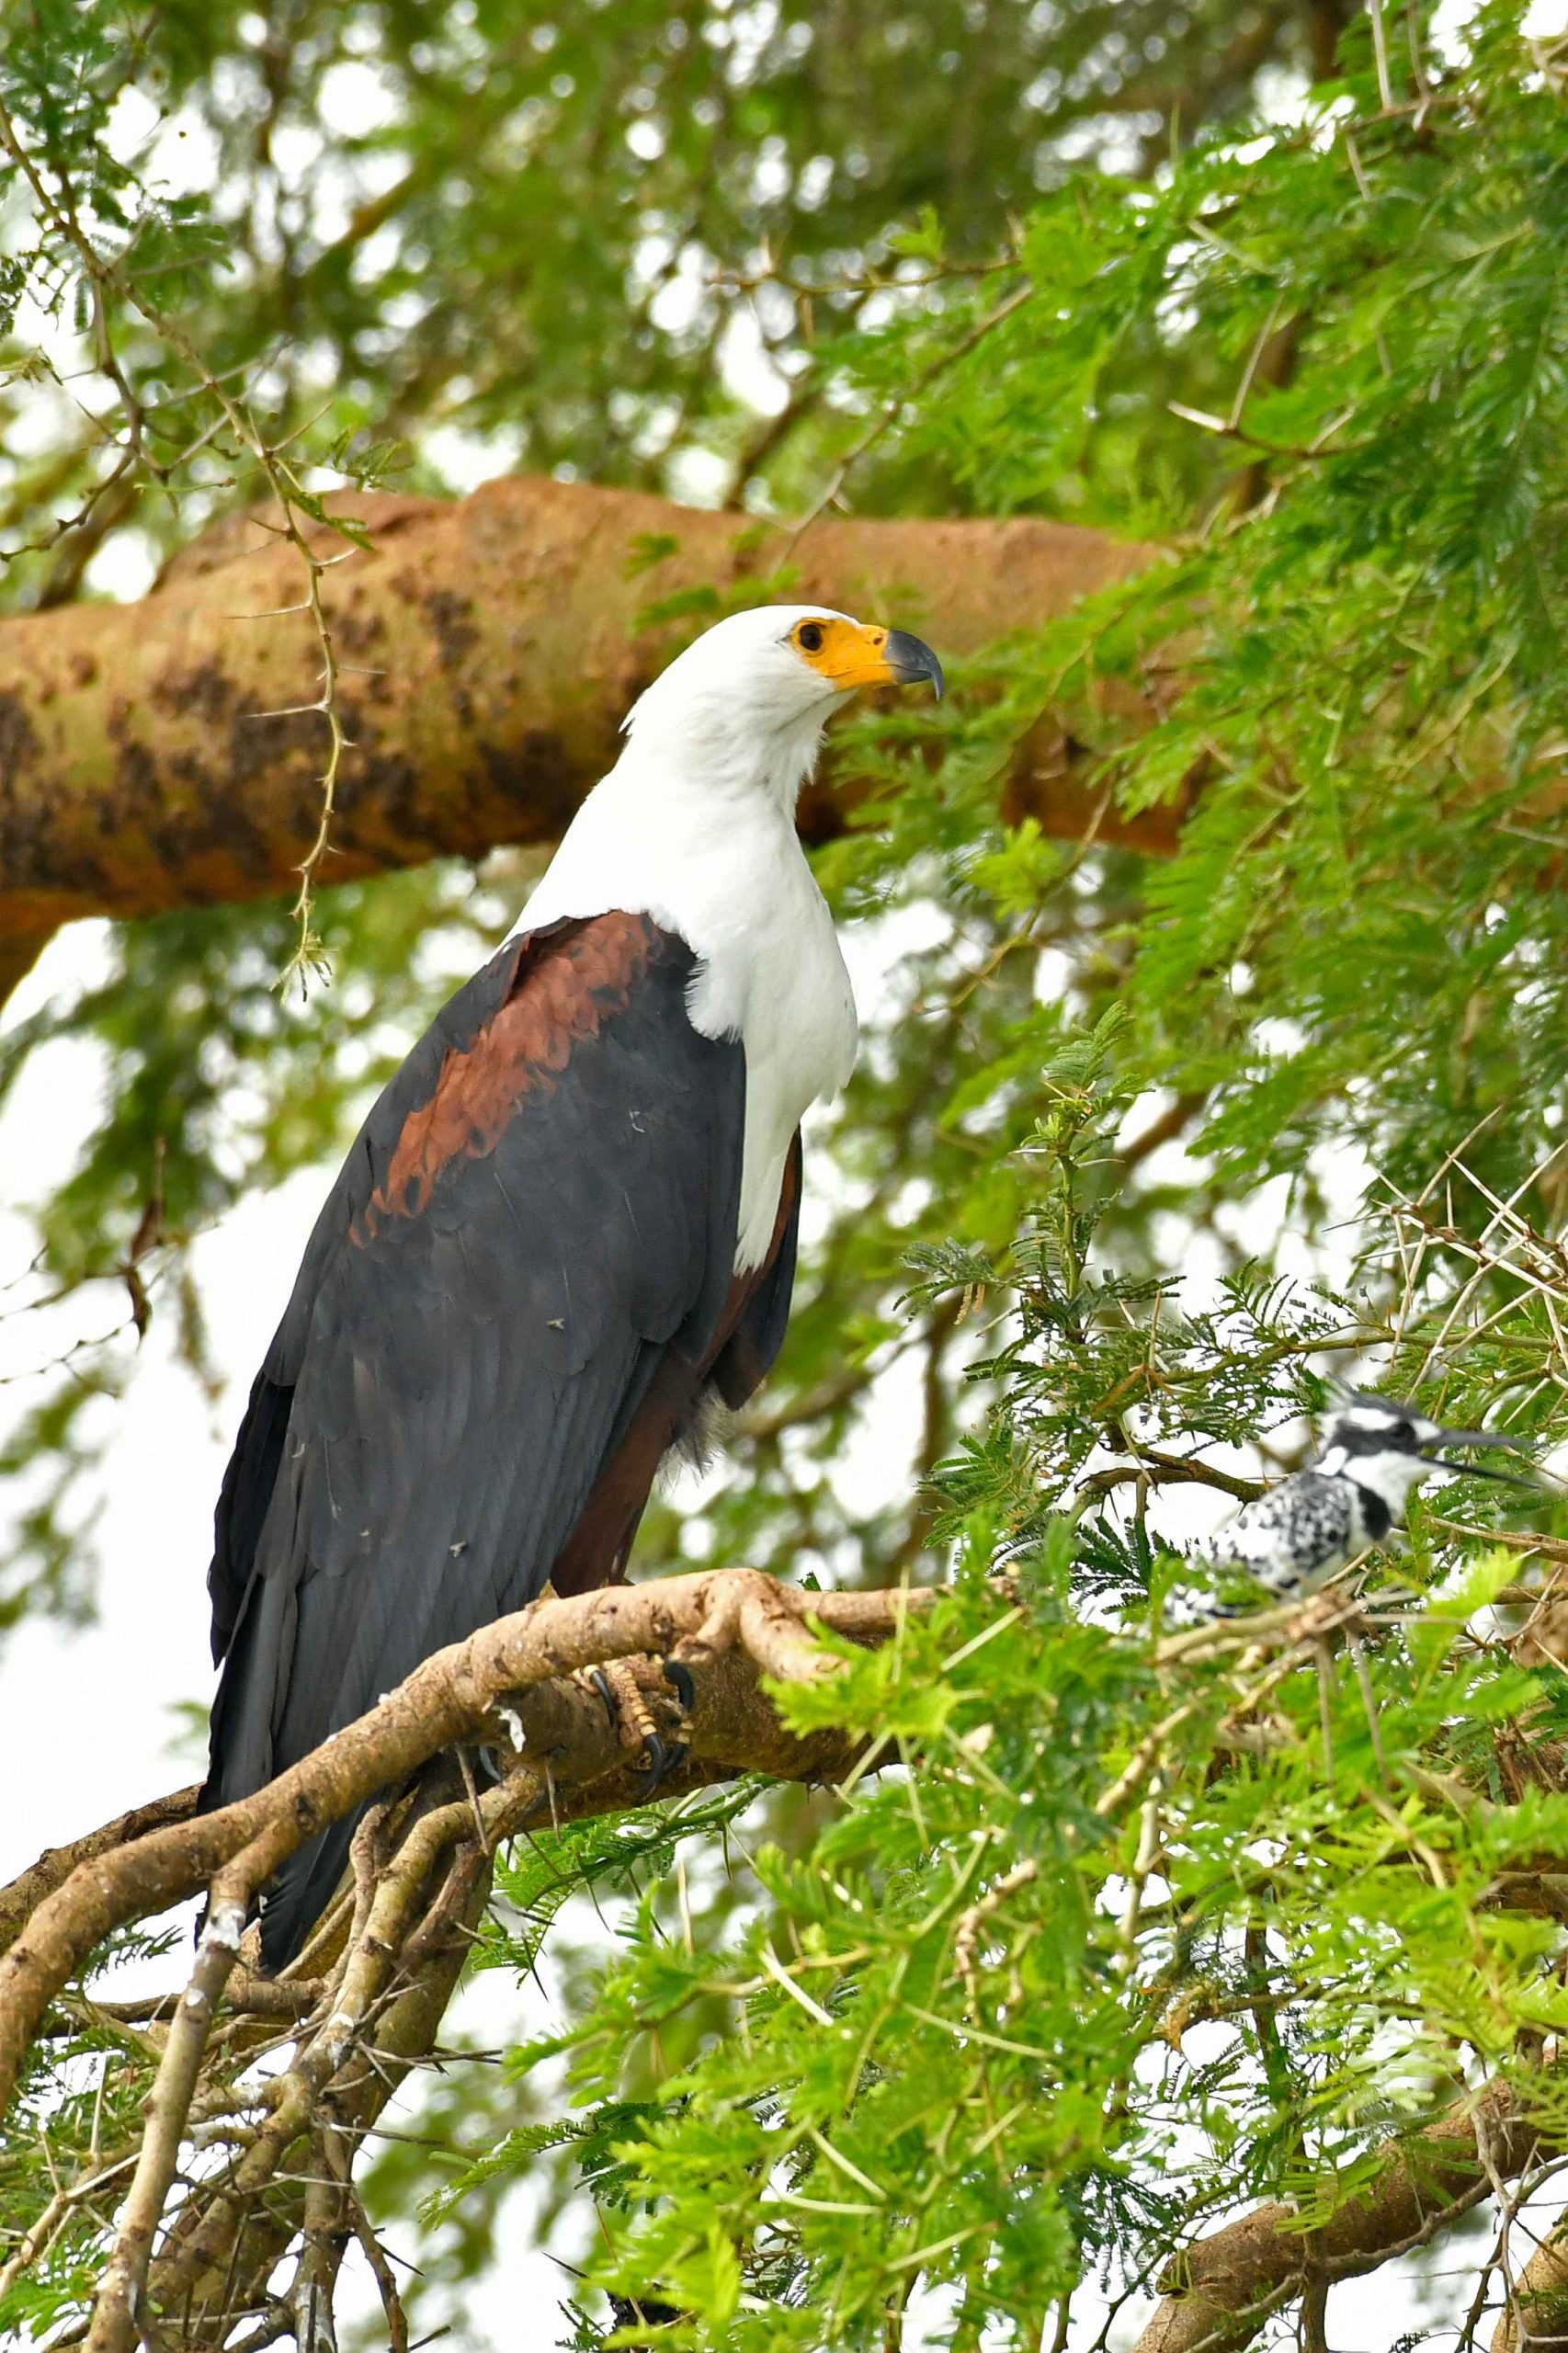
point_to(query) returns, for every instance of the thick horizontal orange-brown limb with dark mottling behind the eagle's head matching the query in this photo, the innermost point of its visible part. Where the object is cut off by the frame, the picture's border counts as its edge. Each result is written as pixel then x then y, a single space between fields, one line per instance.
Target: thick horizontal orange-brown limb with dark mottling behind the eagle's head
pixel 489 653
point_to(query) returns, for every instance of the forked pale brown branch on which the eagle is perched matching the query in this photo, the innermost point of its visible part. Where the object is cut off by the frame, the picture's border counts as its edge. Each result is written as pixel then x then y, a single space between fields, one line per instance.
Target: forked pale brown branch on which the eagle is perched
pixel 514 1688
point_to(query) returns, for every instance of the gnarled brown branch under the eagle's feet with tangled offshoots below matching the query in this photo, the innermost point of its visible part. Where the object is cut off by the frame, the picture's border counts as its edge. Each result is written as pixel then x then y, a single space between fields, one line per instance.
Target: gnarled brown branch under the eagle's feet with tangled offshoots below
pixel 366 1999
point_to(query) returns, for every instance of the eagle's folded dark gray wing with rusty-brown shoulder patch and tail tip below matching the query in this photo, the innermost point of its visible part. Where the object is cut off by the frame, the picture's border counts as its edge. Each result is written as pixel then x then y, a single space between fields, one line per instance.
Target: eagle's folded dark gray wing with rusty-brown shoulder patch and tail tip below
pixel 538 1213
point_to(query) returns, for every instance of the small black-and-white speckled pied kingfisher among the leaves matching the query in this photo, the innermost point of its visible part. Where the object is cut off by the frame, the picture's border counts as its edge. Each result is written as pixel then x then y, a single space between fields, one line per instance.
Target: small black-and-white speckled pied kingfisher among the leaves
pixel 1305 1531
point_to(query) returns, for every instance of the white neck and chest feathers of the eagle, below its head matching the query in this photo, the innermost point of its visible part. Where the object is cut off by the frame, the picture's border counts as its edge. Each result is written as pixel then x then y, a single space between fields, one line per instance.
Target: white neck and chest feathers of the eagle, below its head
pixel 726 874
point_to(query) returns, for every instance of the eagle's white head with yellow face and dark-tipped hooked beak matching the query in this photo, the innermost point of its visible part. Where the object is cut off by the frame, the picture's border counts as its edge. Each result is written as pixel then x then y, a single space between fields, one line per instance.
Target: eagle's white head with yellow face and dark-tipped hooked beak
pixel 750 700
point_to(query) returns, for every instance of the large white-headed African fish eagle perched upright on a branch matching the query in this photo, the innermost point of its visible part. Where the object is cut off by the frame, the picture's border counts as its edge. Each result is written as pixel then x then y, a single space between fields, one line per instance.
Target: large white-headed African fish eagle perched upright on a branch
pixel 566 1225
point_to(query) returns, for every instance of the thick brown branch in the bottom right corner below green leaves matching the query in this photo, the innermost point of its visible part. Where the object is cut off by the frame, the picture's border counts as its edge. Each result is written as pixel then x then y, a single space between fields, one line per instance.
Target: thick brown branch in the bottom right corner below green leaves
pixel 1221 2293
